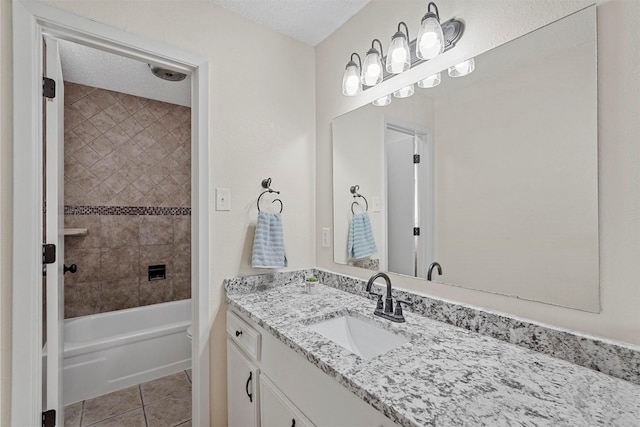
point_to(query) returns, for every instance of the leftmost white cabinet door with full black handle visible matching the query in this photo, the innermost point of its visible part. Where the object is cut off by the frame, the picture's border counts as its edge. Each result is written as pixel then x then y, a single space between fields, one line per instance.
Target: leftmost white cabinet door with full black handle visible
pixel 242 378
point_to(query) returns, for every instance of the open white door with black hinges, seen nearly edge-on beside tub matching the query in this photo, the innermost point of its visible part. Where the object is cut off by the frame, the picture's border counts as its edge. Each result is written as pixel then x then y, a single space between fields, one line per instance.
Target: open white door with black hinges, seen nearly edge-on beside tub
pixel 54 230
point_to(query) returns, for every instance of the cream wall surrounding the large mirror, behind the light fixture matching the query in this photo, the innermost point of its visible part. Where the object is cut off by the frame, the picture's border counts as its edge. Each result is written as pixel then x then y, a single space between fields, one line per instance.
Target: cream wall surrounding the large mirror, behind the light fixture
pixel 489 24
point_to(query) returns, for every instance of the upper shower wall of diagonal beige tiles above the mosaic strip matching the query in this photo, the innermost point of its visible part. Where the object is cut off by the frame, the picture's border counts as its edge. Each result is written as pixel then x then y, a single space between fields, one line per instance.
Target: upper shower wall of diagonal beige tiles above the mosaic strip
pixel 122 150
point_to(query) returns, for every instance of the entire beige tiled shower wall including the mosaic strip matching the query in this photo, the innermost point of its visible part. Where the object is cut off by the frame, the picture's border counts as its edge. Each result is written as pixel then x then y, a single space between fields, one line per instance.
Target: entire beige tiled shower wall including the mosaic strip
pixel 121 150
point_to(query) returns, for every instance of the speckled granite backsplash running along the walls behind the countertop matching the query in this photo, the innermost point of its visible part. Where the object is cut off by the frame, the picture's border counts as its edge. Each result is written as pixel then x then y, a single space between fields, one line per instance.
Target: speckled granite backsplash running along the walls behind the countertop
pixel 616 359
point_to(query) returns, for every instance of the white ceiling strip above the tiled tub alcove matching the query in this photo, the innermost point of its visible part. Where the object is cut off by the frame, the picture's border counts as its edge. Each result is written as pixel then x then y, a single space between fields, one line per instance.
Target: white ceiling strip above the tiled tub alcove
pixel 97 68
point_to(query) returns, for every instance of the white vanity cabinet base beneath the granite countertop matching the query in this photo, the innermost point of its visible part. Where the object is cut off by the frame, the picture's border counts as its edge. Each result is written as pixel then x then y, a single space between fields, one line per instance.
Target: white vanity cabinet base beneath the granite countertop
pixel 291 390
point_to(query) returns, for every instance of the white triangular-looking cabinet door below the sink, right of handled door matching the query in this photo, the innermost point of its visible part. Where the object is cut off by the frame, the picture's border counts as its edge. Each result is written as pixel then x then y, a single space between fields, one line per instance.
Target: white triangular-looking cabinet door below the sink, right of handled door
pixel 276 409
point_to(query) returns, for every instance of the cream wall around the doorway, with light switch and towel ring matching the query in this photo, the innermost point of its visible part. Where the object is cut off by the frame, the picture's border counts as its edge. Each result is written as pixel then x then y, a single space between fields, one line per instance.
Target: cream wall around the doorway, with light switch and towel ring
pixel 262 125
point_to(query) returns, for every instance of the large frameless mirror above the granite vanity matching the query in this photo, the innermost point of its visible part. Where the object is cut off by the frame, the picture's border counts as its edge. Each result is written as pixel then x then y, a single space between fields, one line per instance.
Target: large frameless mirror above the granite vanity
pixel 494 176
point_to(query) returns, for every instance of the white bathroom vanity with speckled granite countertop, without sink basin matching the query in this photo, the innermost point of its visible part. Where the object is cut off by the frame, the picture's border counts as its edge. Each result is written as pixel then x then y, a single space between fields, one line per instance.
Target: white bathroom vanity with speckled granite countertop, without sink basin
pixel 282 372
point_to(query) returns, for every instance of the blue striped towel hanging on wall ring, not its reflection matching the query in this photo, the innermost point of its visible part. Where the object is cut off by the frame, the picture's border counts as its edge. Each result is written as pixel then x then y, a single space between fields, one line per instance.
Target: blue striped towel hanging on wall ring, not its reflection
pixel 268 242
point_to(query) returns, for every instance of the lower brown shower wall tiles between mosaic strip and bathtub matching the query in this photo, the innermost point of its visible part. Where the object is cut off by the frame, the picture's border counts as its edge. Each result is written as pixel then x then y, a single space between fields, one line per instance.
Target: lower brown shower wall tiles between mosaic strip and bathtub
pixel 113 260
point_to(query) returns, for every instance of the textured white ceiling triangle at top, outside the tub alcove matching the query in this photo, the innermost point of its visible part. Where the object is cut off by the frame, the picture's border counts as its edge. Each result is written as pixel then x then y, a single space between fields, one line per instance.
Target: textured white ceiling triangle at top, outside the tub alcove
pixel 309 21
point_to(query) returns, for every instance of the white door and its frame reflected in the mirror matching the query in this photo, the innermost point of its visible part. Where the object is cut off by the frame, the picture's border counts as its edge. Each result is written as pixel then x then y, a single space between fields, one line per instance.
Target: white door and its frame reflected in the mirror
pixel 409 172
